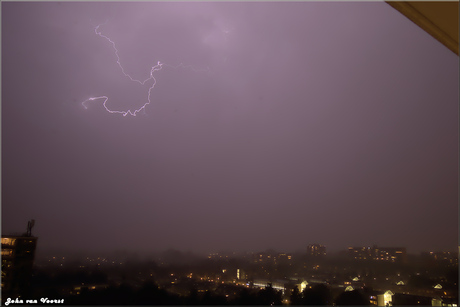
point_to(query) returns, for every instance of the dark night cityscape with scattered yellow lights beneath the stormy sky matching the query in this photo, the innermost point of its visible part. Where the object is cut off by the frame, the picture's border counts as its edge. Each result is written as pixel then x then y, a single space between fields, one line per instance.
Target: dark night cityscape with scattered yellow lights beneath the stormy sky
pixel 369 276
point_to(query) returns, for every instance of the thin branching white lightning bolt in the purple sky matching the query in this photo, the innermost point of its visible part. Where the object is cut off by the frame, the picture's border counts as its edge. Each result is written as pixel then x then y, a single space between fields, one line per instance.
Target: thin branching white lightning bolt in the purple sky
pixel 155 68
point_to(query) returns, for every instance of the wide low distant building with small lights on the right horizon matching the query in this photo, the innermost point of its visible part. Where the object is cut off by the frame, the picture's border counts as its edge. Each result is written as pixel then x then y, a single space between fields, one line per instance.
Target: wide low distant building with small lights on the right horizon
pixel 389 254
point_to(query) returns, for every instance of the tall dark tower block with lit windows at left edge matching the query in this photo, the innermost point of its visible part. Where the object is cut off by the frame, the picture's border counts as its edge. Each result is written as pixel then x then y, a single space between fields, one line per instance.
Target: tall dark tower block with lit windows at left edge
pixel 18 254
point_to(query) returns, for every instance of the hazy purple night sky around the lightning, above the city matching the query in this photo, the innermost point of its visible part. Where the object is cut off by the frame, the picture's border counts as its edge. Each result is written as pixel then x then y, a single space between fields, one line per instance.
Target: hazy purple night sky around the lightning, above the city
pixel 334 123
